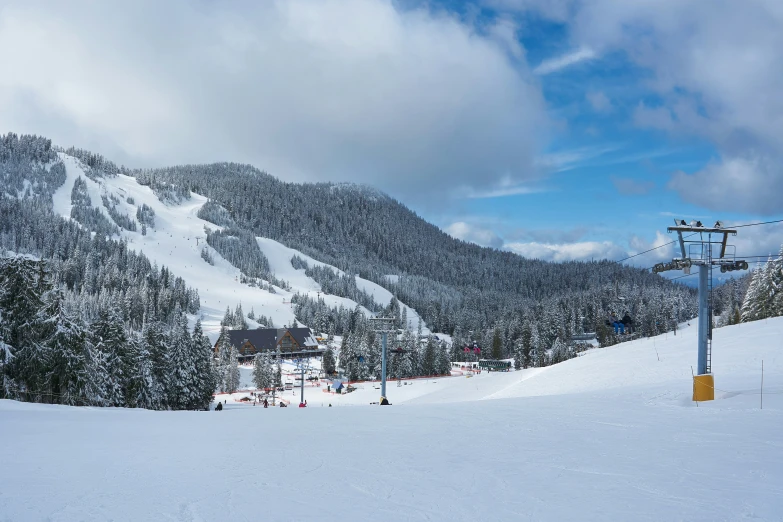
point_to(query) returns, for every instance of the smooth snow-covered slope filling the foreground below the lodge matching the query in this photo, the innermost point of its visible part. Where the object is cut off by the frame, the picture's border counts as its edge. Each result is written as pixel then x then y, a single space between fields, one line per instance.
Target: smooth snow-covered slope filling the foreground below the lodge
pixel 610 435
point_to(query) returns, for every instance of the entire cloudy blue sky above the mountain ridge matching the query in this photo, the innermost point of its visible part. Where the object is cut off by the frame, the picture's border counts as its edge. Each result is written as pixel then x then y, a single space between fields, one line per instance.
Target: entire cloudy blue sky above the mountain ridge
pixel 557 129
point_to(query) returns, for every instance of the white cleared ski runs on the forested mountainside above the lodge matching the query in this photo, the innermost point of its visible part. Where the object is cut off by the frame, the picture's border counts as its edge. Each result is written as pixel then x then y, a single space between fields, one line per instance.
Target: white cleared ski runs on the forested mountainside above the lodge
pixel 176 242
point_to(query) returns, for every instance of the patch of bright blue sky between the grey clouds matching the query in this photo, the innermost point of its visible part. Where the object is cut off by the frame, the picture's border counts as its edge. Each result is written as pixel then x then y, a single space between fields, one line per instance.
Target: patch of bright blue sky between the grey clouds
pixel 606 175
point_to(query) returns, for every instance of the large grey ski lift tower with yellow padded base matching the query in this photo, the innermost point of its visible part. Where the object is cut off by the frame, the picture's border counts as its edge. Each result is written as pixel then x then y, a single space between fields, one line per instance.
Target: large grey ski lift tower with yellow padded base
pixel 699 252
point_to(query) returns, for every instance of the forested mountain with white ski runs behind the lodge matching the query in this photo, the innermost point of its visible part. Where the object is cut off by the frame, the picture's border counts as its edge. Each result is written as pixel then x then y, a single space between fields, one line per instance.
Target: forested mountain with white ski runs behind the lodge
pixel 230 234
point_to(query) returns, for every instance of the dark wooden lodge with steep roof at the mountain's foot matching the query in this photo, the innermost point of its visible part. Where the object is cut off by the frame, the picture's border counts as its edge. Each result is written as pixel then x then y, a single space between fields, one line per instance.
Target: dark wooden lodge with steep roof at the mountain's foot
pixel 290 342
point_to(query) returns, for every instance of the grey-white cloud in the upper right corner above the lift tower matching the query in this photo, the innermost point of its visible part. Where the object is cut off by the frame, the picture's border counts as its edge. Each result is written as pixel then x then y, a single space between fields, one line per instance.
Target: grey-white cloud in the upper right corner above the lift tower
pixel 720 84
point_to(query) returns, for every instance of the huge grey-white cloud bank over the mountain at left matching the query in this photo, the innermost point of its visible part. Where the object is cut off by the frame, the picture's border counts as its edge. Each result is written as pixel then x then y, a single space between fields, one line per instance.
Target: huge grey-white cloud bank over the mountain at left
pixel 338 90
